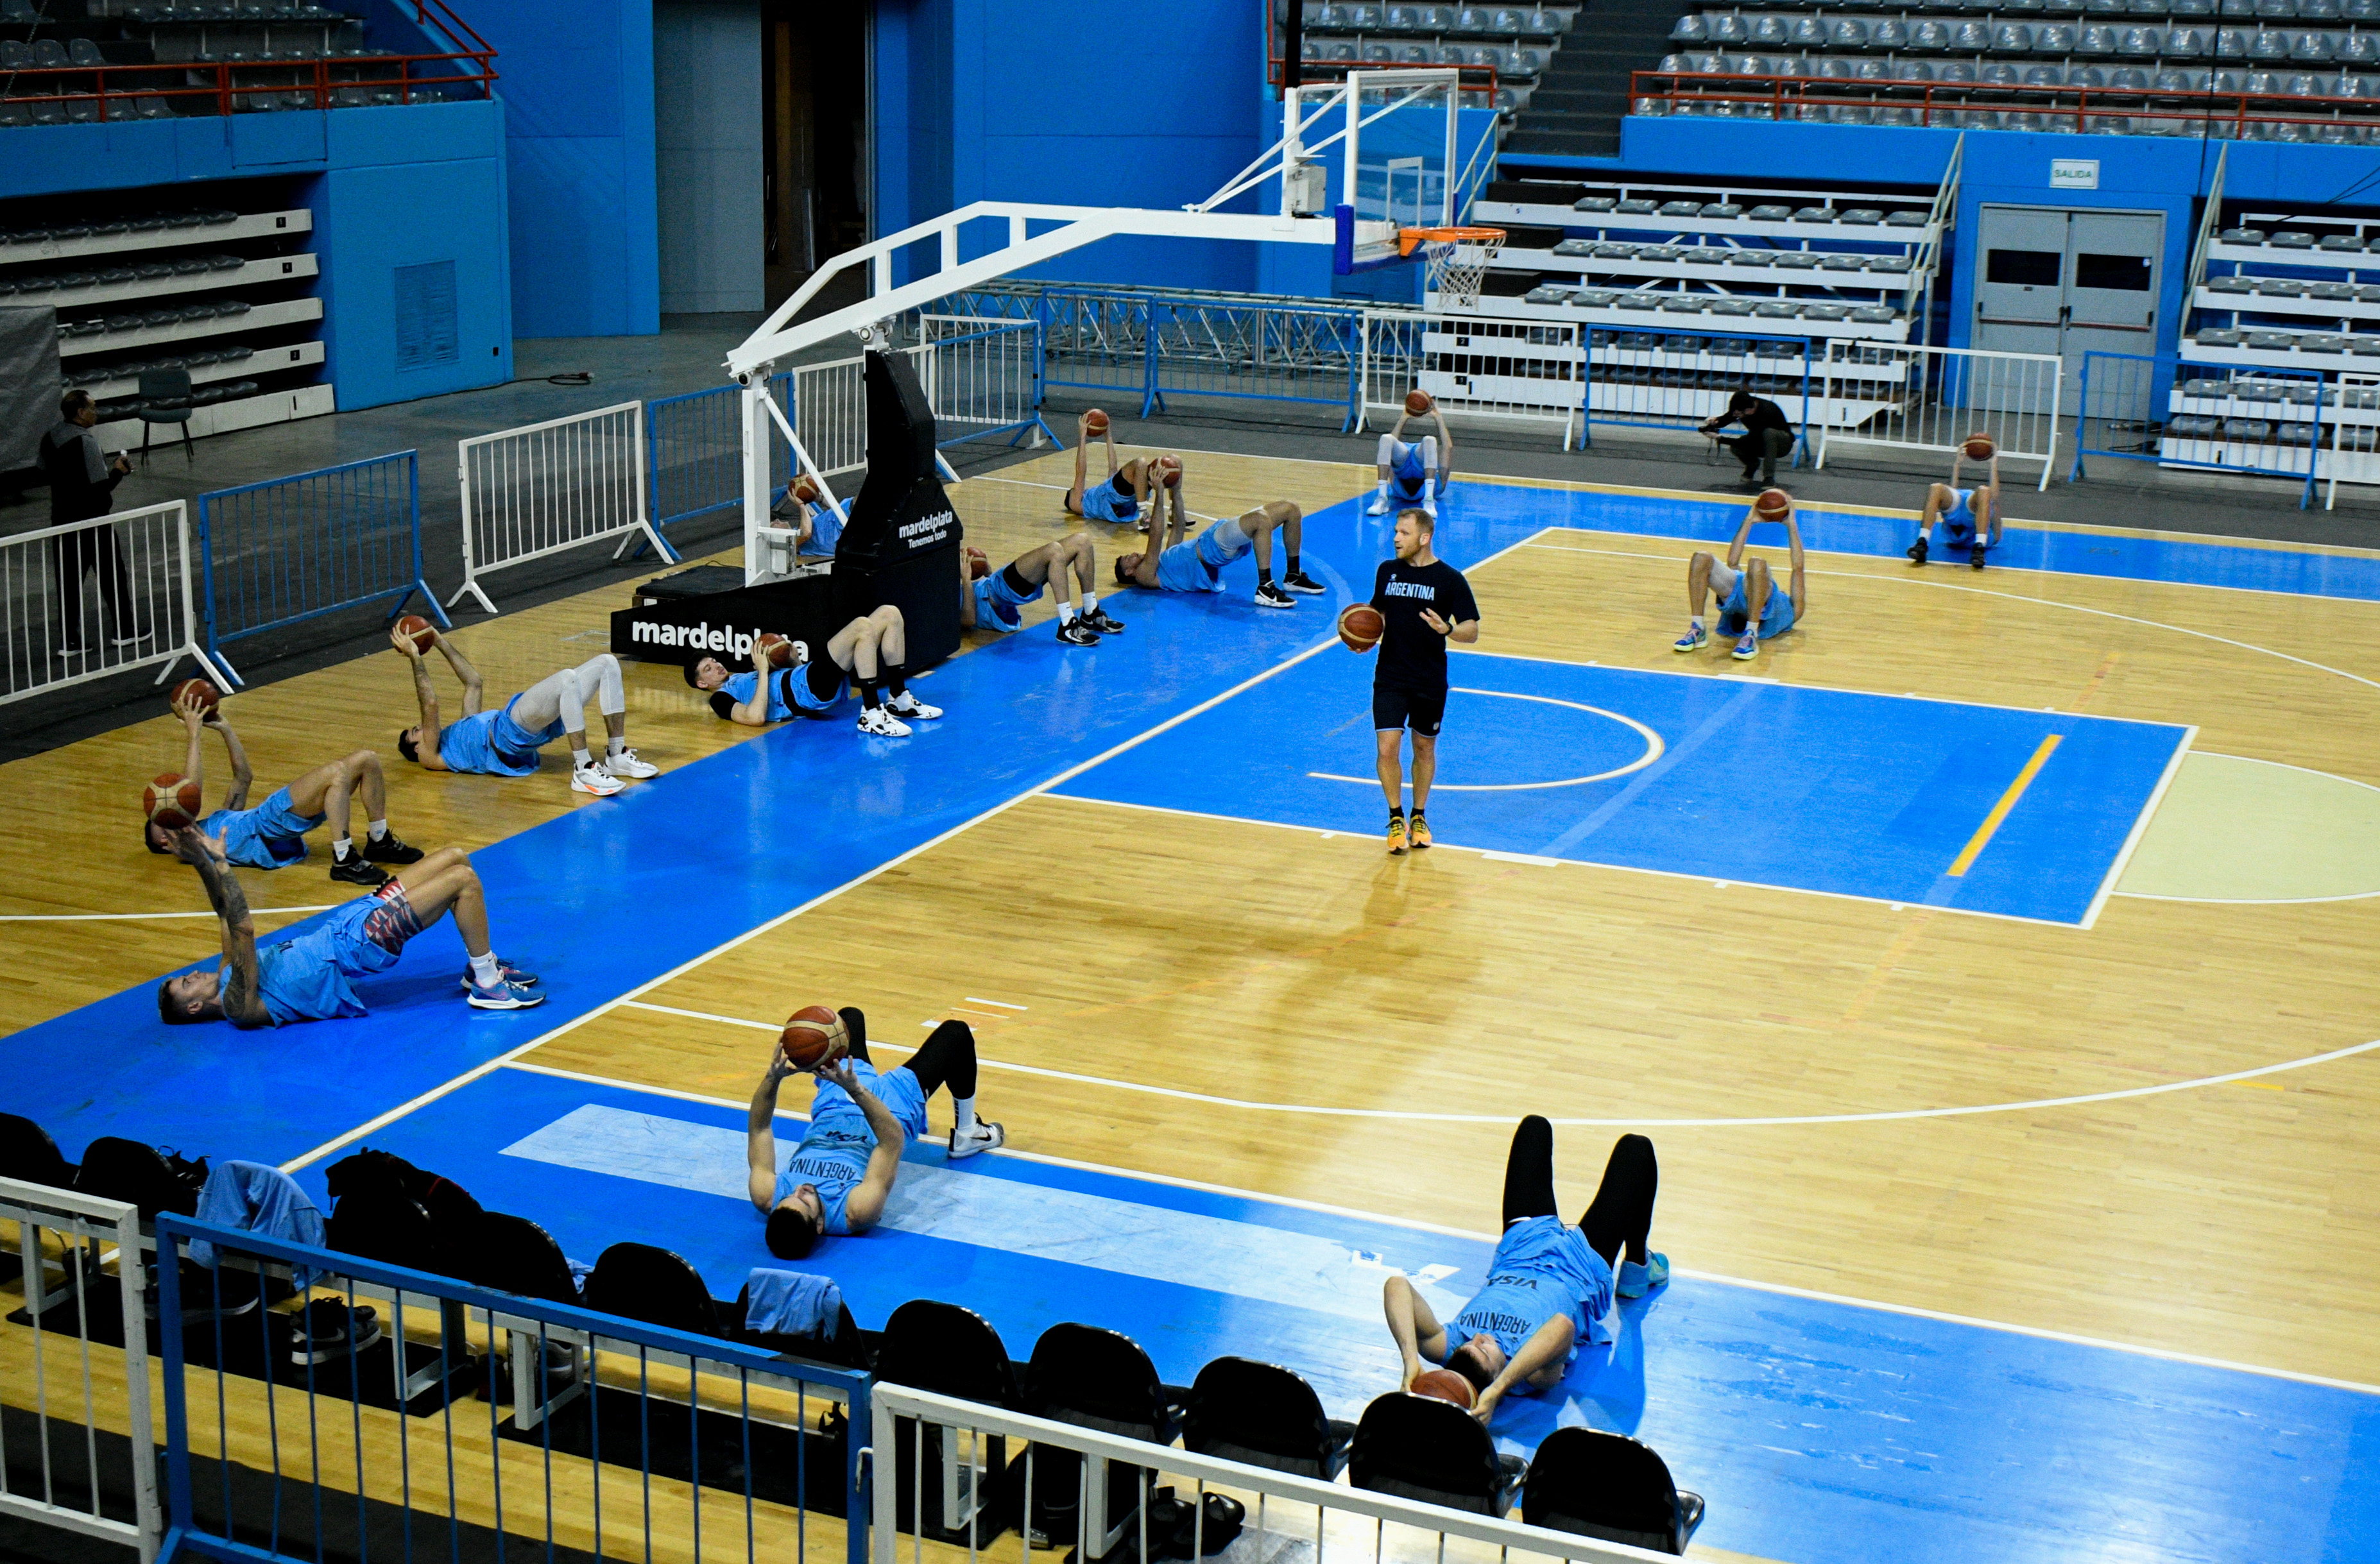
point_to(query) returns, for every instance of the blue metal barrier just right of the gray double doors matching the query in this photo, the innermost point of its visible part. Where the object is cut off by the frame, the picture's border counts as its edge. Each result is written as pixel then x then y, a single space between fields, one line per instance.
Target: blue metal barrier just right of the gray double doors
pixel 2210 418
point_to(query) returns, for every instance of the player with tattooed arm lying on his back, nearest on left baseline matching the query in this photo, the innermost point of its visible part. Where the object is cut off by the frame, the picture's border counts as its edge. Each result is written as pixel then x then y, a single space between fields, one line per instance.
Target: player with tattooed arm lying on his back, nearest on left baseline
pixel 311 977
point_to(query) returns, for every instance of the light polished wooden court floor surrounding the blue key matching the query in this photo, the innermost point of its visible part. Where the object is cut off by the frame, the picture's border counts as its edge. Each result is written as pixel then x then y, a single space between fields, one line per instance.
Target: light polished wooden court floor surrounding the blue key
pixel 1282 972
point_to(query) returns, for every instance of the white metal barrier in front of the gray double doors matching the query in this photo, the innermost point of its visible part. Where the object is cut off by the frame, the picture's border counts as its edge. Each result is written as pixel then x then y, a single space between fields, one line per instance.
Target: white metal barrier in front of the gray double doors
pixel 1934 399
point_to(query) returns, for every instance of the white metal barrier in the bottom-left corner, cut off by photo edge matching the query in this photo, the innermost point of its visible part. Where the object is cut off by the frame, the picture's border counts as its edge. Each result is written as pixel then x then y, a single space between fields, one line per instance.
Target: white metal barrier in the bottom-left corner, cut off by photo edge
pixel 77 1391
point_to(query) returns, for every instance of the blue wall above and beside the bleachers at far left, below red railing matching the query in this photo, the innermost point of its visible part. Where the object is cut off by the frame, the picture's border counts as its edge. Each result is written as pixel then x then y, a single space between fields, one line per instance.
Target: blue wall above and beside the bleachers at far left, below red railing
pixel 389 189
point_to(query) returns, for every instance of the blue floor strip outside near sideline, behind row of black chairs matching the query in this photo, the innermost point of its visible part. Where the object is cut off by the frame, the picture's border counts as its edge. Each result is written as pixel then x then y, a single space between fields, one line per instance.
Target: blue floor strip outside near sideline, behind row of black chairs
pixel 1817 1430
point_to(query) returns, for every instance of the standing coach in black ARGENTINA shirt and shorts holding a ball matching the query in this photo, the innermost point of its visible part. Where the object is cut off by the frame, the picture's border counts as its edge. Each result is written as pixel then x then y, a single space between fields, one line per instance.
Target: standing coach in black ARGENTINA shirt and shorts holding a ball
pixel 1427 603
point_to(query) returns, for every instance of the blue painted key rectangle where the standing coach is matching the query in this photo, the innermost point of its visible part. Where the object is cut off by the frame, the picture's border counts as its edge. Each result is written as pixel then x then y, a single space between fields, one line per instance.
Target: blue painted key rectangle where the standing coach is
pixel 1743 782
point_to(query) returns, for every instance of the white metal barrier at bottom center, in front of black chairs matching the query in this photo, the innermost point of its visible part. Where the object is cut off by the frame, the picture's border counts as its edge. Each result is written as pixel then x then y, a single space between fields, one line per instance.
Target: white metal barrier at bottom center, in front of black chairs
pixel 1472 1537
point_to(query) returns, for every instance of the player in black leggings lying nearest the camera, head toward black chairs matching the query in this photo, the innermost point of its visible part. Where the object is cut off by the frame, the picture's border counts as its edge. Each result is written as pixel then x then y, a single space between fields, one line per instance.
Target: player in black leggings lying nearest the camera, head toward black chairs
pixel 1548 1284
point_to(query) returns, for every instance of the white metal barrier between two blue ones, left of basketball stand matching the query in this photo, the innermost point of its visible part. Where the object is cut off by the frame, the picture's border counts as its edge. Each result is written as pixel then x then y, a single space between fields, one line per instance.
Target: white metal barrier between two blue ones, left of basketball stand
pixel 549 487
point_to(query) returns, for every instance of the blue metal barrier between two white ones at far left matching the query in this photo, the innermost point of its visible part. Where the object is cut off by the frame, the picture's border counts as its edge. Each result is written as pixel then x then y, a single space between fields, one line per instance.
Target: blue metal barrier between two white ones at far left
pixel 294 549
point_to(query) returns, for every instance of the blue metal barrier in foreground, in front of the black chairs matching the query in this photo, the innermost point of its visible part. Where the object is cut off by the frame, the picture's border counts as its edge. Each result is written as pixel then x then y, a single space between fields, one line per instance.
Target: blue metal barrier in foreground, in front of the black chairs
pixel 606 1437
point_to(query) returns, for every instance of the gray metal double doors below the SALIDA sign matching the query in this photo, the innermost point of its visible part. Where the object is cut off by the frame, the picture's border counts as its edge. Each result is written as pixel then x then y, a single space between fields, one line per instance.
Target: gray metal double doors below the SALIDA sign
pixel 2067 282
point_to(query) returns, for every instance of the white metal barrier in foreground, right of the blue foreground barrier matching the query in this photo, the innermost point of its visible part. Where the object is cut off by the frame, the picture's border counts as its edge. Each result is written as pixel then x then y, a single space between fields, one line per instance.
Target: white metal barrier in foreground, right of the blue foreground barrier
pixel 1110 1518
